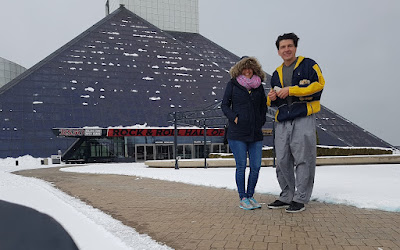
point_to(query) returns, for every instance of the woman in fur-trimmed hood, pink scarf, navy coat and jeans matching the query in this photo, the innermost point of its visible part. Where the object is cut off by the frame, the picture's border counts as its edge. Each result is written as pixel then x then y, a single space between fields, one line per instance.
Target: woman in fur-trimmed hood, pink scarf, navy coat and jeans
pixel 244 104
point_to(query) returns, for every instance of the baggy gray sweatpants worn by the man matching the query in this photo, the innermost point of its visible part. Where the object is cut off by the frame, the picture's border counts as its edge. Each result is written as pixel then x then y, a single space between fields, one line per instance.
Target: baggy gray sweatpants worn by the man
pixel 296 151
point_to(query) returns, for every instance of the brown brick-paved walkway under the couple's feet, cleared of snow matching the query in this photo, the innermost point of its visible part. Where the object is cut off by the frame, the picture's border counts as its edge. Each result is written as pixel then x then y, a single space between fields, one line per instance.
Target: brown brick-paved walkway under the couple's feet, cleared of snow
pixel 196 217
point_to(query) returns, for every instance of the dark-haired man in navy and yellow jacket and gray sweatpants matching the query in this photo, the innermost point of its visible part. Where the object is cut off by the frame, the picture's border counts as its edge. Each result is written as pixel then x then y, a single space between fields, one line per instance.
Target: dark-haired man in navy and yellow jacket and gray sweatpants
pixel 296 88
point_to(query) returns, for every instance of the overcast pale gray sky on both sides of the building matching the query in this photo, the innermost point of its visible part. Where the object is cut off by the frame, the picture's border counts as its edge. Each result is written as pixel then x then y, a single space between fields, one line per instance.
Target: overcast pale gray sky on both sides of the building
pixel 355 42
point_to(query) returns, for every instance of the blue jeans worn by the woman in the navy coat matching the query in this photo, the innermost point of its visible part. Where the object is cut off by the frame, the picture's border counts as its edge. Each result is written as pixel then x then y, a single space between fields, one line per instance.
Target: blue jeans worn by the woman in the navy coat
pixel 240 150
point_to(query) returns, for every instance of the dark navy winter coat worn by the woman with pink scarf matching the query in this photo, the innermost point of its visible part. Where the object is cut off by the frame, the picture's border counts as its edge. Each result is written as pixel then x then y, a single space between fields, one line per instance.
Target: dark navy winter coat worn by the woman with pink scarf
pixel 249 107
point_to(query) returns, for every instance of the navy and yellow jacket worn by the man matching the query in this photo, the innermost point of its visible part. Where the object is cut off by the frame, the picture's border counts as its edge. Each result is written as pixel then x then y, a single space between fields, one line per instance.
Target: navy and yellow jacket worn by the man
pixel 306 90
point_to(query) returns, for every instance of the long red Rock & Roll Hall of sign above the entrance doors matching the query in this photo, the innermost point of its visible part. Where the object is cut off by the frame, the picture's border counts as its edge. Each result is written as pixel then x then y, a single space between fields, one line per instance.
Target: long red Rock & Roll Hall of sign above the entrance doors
pixel 112 132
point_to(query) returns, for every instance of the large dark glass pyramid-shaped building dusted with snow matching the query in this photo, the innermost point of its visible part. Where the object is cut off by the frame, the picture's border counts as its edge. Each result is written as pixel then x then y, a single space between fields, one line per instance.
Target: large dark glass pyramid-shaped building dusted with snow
pixel 125 71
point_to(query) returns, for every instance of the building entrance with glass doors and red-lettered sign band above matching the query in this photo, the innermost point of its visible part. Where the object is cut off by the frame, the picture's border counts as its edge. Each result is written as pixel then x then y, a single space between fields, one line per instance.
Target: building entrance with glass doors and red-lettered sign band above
pixel 137 145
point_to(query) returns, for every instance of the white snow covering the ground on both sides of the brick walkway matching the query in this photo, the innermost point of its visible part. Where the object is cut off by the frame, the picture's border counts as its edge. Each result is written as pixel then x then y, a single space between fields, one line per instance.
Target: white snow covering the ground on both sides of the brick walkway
pixel 364 186
